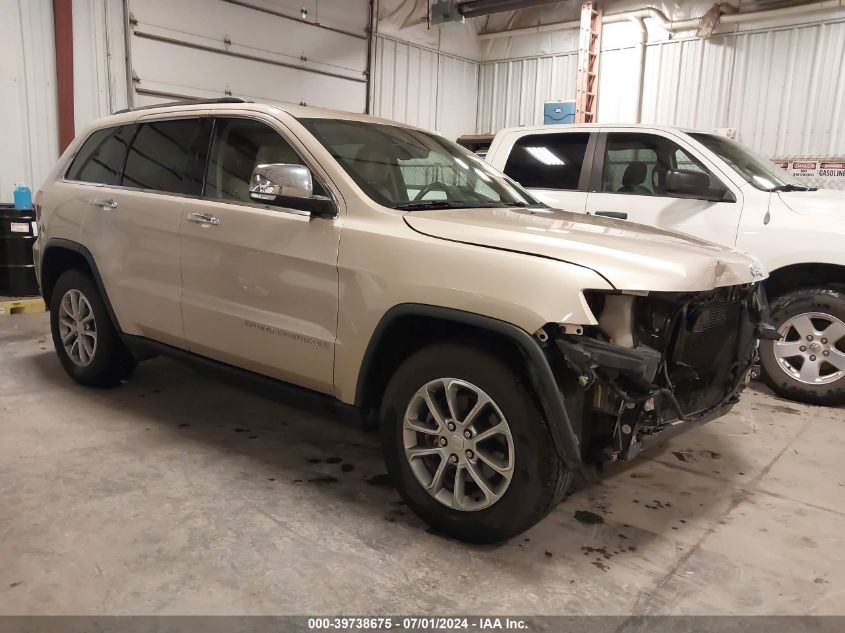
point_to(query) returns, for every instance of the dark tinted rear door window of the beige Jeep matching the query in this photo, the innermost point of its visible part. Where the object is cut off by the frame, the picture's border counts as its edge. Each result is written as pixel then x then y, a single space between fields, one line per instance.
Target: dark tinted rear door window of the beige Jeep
pixel 168 156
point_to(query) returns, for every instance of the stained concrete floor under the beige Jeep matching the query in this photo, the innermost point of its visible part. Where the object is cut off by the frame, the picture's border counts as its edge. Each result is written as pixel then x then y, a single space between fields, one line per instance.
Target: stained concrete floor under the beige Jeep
pixel 177 493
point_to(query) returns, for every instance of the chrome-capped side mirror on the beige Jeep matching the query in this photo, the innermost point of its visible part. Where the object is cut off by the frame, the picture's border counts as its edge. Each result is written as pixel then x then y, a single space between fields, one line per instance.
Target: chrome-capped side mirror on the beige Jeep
pixel 288 185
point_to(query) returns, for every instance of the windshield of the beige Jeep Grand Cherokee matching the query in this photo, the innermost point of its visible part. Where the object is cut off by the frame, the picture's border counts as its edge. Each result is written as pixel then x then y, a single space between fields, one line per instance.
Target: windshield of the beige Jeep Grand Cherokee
pixel 408 169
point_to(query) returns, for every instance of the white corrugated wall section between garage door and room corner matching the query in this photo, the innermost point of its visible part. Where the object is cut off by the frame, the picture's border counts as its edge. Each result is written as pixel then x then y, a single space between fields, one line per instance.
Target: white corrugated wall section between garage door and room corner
pixel 424 87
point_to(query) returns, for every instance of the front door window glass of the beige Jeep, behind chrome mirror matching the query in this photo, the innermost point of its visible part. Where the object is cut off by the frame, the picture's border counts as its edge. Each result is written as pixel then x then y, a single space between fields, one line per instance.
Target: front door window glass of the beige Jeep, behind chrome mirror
pixel 238 146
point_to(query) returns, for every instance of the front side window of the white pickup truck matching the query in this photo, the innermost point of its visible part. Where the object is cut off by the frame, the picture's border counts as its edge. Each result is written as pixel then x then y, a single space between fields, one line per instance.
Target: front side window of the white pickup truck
pixel 637 164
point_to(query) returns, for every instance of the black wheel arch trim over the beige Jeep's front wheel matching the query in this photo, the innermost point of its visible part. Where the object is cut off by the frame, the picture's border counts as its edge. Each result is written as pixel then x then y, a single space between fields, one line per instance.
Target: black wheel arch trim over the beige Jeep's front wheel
pixel 539 370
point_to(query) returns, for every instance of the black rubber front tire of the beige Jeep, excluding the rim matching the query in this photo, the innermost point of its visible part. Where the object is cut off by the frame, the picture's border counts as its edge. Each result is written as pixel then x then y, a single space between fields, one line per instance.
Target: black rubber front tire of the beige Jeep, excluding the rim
pixel 539 479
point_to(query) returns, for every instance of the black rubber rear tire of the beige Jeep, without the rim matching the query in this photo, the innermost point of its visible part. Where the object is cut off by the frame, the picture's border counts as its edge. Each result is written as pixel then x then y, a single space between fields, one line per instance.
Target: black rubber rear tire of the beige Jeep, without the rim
pixel 111 362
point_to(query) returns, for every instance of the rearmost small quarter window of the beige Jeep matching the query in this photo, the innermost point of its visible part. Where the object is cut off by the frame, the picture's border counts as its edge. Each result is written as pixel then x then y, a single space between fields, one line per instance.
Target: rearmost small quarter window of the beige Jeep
pixel 101 157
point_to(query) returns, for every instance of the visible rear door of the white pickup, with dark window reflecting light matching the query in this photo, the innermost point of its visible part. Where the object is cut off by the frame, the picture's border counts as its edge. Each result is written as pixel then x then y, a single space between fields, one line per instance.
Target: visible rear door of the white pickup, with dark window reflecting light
pixel 552 166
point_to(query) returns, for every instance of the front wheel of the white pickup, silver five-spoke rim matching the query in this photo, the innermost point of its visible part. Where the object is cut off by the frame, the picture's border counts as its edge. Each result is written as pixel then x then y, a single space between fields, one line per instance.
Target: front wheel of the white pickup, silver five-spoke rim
pixel 808 363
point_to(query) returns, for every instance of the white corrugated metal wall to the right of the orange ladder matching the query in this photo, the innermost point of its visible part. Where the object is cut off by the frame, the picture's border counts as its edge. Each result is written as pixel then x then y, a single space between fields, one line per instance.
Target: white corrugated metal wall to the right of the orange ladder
pixel 783 90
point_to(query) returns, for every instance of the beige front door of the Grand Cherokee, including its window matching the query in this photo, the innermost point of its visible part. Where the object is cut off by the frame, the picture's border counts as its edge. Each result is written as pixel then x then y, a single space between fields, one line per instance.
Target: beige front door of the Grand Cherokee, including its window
pixel 259 283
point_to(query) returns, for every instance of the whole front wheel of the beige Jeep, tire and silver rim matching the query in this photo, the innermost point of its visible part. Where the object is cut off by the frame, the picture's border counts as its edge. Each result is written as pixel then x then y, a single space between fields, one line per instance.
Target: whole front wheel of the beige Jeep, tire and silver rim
pixel 466 446
